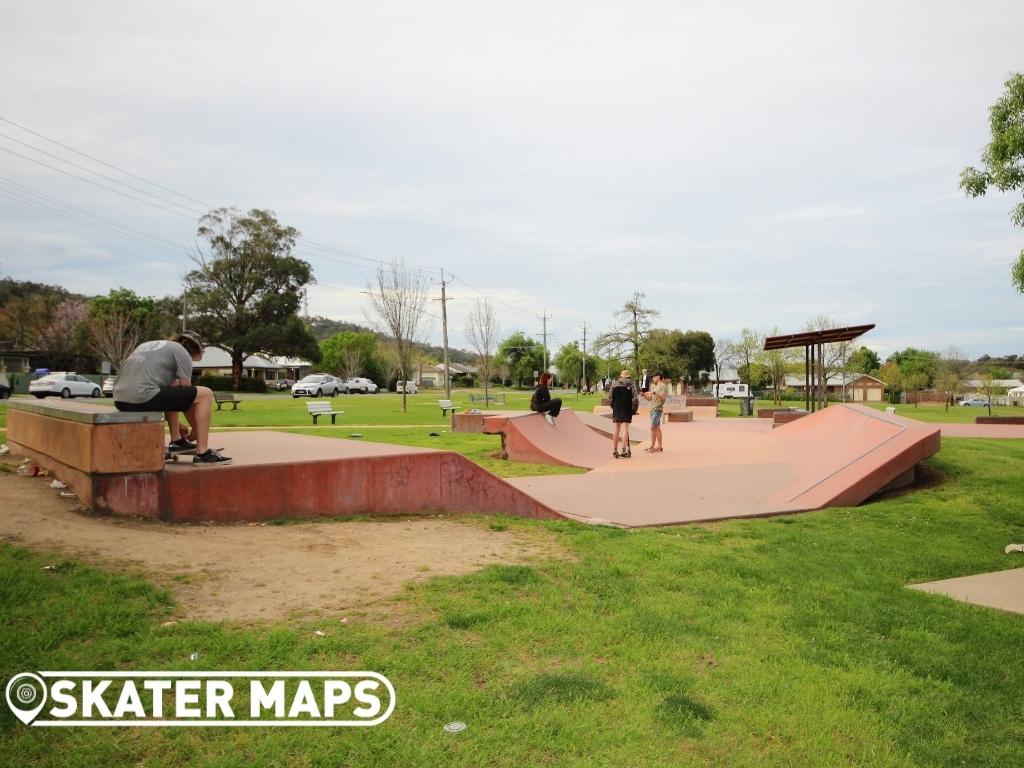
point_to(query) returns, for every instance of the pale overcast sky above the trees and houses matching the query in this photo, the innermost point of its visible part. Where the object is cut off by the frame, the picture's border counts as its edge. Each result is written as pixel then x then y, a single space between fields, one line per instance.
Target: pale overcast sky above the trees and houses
pixel 743 164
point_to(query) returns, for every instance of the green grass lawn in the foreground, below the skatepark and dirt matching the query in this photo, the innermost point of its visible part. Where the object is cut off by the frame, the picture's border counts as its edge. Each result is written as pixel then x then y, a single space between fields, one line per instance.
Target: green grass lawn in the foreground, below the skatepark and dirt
pixel 789 642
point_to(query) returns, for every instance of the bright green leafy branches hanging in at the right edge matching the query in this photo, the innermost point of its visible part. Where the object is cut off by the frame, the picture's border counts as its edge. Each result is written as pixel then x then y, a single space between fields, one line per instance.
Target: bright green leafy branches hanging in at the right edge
pixel 1003 159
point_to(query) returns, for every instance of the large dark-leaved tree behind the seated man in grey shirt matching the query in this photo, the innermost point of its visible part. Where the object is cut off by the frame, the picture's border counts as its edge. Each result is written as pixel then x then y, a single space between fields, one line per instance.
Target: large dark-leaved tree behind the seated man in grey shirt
pixel 245 294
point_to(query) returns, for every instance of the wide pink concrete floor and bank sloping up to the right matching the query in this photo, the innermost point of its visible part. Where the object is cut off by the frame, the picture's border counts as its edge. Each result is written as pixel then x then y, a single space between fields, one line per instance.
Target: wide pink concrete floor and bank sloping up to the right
pixel 722 470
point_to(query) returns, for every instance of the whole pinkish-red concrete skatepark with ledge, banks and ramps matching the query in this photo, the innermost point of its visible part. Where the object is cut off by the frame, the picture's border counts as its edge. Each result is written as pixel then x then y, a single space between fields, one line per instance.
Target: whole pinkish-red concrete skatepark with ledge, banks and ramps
pixel 711 470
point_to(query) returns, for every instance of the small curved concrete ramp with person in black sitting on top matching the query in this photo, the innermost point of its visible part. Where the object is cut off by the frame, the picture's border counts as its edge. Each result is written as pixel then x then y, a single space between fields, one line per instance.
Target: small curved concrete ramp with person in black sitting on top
pixel 529 438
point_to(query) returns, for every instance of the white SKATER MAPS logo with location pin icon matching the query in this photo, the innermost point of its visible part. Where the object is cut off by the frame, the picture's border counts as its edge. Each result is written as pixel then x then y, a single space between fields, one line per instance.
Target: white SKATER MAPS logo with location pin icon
pixel 64 700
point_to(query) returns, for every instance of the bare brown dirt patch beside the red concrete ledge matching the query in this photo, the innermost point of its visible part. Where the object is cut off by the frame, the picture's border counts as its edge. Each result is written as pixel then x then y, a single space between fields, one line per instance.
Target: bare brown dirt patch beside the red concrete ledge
pixel 259 573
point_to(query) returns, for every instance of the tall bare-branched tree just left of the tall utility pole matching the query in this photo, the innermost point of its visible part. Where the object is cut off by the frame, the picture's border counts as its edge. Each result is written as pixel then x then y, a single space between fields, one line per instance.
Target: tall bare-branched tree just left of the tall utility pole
pixel 399 297
